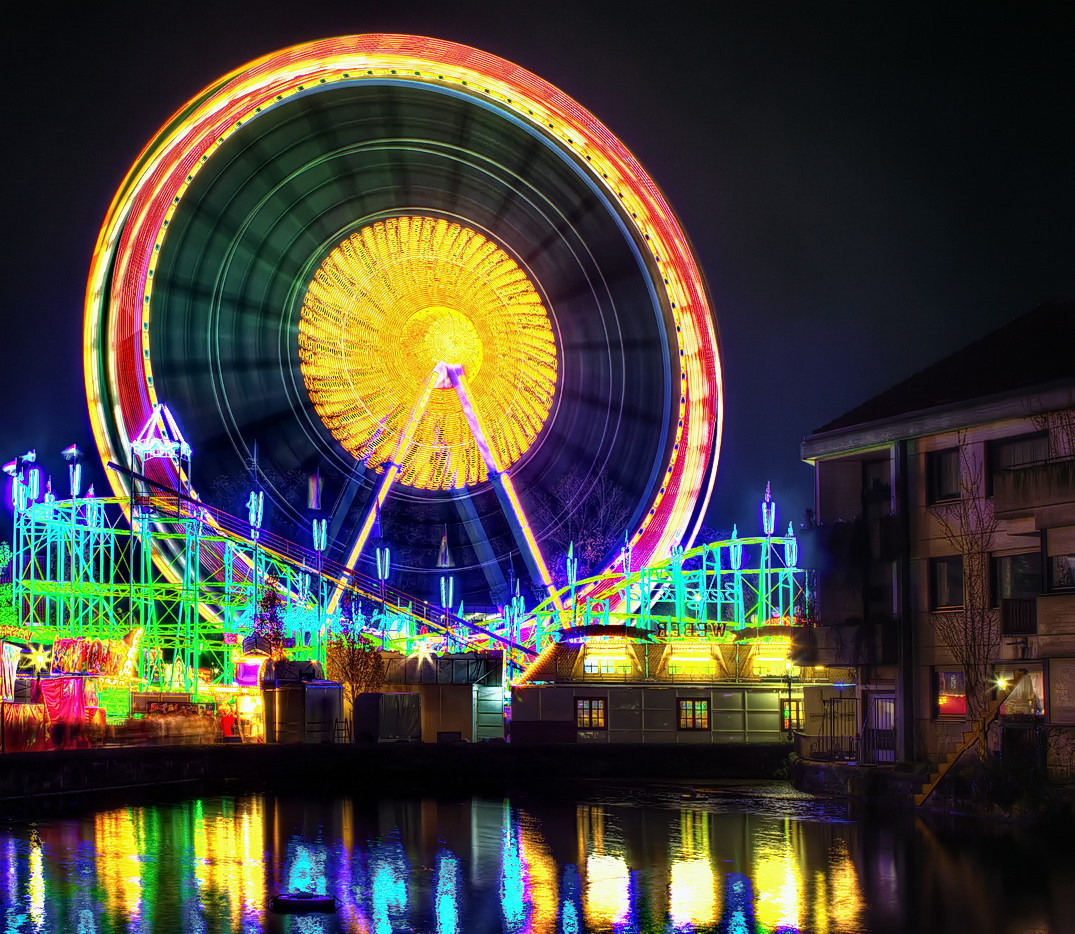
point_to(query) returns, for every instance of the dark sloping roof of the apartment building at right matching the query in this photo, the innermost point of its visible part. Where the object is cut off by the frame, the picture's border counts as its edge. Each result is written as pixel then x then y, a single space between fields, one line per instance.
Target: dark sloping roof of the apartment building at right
pixel 1036 350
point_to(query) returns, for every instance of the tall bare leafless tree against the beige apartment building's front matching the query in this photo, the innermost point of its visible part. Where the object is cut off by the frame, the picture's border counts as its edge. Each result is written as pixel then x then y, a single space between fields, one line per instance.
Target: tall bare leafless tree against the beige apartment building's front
pixel 971 635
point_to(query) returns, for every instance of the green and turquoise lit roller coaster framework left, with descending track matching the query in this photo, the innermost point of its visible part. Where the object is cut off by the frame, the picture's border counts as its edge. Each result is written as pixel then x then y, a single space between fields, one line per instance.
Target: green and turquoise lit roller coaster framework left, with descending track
pixel 82 571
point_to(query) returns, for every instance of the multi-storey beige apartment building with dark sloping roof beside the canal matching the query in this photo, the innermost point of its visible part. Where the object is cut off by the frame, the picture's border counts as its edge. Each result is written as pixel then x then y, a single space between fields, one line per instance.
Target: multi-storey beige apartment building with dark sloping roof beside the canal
pixel 945 542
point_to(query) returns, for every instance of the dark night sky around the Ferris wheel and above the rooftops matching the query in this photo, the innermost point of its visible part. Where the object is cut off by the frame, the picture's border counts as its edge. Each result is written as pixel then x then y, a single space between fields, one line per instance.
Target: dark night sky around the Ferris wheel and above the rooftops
pixel 868 188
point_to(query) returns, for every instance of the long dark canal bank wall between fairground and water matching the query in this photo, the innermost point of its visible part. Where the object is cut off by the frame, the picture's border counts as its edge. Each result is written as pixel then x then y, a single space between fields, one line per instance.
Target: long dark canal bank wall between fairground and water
pixel 384 769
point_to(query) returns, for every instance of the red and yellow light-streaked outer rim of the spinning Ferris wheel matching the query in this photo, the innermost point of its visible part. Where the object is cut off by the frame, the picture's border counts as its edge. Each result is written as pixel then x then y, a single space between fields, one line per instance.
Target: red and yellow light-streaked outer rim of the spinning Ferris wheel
pixel 119 305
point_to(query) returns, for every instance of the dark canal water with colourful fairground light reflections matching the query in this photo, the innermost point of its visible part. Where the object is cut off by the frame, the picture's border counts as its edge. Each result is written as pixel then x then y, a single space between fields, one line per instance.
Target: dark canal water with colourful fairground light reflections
pixel 734 858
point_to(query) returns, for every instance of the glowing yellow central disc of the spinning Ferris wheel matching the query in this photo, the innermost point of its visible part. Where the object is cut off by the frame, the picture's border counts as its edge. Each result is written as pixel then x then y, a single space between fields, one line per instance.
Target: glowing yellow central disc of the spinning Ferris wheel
pixel 396 299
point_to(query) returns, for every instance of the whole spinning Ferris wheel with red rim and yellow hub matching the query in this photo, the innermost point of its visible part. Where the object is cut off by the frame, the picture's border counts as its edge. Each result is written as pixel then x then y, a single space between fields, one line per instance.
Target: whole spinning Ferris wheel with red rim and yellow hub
pixel 426 275
